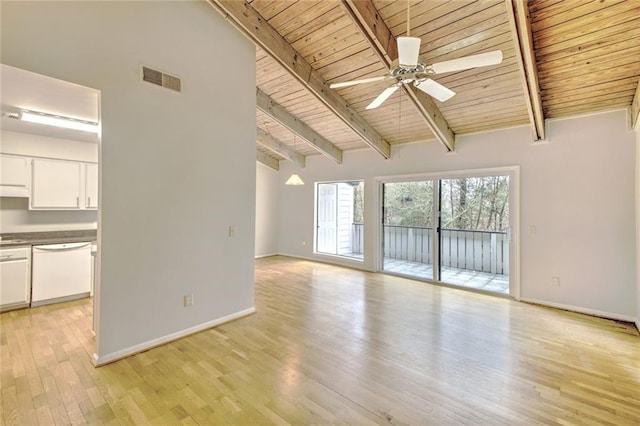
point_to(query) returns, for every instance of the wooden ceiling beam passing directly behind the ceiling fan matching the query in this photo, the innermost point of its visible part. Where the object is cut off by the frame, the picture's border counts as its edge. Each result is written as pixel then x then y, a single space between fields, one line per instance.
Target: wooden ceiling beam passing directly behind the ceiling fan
pixel 382 41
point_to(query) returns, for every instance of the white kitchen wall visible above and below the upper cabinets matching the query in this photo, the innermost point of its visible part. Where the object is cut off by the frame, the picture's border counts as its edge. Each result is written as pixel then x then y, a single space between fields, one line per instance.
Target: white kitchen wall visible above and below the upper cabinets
pixel 15 215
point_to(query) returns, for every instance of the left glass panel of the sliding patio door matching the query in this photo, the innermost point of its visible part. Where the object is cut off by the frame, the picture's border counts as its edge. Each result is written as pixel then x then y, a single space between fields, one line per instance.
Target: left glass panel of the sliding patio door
pixel 407 224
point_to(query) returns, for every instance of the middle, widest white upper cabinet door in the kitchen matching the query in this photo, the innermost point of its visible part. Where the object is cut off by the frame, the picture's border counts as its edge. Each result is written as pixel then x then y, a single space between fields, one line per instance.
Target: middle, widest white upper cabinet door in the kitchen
pixel 55 184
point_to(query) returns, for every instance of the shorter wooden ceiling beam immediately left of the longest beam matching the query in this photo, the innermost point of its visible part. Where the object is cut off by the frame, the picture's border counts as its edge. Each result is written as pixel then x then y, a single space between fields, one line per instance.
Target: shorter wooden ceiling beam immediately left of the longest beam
pixel 291 122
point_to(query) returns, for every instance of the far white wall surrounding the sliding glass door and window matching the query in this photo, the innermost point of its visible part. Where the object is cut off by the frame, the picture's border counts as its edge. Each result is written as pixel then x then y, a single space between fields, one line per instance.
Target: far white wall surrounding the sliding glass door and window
pixel 574 189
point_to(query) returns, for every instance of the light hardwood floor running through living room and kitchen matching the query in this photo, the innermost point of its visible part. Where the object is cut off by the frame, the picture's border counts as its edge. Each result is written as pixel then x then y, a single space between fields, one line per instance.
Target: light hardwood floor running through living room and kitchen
pixel 333 345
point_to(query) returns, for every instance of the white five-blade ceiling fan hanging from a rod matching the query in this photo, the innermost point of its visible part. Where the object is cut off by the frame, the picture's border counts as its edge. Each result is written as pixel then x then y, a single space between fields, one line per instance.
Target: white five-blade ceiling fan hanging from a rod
pixel 406 69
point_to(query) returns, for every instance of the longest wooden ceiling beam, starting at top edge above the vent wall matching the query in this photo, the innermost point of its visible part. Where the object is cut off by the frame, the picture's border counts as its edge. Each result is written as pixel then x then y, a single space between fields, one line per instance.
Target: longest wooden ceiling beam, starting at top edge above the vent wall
pixel 242 15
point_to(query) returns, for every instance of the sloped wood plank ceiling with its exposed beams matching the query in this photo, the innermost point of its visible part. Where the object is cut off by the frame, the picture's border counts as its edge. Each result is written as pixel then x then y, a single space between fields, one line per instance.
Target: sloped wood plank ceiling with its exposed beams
pixel 560 58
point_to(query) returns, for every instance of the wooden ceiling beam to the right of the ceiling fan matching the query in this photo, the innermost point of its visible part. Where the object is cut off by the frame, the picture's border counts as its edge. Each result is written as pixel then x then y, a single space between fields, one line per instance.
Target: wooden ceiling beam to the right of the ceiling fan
pixel 520 24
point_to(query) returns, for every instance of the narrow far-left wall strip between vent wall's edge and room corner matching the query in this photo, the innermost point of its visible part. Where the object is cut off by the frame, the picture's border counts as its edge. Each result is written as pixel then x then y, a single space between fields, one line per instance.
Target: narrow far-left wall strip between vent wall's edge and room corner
pixel 267 181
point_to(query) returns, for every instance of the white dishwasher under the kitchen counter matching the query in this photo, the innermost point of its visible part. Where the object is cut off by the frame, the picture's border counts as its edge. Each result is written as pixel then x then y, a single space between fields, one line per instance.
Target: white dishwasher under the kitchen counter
pixel 60 272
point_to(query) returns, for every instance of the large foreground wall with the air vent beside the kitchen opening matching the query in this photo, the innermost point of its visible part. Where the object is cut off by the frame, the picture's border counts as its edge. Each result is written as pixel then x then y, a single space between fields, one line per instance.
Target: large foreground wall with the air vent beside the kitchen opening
pixel 166 197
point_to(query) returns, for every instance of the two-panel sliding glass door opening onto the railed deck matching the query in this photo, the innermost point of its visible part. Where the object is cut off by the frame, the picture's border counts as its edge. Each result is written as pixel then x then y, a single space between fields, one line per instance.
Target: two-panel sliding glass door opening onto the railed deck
pixel 450 230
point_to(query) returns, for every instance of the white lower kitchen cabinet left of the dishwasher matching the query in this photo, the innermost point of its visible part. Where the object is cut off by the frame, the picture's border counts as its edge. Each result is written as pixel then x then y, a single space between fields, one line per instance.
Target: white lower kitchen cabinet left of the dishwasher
pixel 14 275
